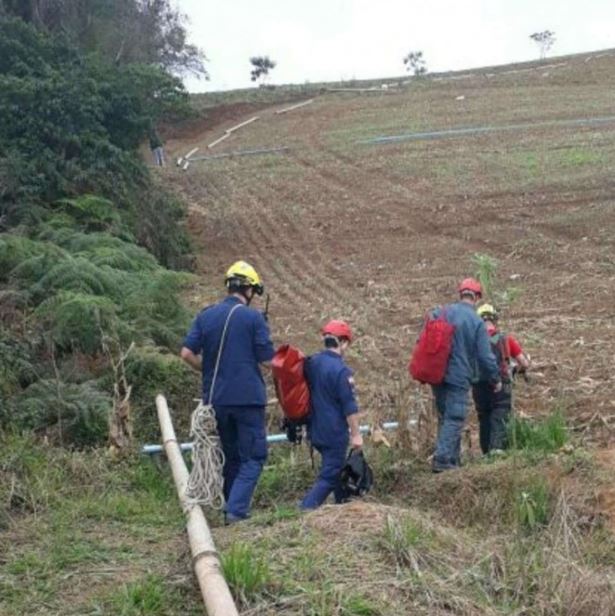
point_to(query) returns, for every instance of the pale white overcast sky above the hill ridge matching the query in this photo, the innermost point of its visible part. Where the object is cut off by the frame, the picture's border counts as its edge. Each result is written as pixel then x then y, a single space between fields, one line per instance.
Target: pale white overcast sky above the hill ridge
pixel 325 40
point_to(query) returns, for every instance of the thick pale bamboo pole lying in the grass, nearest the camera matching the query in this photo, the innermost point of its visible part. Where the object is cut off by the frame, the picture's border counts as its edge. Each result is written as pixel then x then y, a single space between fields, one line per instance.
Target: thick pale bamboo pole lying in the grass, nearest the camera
pixel 216 593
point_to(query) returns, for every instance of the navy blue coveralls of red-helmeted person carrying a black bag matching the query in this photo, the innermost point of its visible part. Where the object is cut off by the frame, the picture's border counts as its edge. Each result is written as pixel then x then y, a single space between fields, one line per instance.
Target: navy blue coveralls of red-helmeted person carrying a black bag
pixel 332 401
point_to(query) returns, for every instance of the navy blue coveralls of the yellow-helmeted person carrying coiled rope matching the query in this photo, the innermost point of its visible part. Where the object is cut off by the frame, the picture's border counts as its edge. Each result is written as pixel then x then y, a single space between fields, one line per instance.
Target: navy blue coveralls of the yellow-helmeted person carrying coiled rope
pixel 239 396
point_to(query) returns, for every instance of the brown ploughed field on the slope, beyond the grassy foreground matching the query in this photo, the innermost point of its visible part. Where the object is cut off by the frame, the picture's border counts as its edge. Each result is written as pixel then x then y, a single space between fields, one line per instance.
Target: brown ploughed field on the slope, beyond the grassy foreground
pixel 379 233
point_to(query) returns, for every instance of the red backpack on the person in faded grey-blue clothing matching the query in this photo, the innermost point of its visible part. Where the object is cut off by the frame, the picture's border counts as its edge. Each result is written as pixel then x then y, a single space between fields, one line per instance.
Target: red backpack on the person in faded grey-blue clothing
pixel 432 351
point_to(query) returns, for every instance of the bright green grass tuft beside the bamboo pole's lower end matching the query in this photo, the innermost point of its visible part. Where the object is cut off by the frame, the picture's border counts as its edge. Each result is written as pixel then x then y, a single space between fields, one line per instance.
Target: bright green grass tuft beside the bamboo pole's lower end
pixel 246 573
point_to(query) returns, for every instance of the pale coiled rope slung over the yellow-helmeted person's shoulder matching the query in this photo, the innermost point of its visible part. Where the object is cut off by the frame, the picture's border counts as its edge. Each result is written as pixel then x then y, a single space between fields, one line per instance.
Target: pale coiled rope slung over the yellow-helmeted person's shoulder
pixel 205 483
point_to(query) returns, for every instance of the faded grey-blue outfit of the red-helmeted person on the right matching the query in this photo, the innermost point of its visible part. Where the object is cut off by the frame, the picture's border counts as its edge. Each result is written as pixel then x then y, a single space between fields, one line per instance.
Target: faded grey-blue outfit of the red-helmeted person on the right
pixel 471 351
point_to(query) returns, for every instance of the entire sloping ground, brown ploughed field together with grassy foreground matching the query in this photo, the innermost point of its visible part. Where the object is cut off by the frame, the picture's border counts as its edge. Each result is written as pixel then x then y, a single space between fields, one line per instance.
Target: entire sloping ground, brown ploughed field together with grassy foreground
pixel 377 234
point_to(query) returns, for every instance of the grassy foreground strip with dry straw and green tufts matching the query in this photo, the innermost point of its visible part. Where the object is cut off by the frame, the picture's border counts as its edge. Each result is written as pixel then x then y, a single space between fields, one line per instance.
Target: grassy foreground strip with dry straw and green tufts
pixel 522 534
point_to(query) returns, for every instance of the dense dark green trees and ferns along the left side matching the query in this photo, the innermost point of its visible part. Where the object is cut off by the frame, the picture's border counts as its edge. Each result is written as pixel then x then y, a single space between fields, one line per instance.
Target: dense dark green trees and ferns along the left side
pixel 90 243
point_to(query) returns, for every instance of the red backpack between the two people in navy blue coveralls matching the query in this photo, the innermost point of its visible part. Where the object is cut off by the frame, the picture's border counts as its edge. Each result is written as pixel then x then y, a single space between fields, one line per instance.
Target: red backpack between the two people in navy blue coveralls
pixel 290 383
